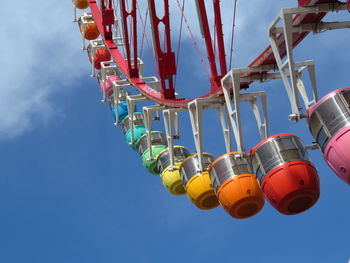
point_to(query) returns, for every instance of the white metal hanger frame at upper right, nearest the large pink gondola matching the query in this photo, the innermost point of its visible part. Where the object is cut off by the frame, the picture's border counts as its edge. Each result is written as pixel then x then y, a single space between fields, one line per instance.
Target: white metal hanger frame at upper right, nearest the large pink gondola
pixel 288 70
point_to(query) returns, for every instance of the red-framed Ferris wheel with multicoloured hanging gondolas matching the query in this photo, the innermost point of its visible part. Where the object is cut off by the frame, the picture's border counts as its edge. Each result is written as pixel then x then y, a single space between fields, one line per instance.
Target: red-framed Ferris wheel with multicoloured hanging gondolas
pixel 278 168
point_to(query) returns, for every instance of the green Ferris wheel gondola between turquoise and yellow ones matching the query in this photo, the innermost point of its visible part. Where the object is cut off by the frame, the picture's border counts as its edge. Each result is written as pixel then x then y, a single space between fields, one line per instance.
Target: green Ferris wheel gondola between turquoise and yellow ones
pixel 158 144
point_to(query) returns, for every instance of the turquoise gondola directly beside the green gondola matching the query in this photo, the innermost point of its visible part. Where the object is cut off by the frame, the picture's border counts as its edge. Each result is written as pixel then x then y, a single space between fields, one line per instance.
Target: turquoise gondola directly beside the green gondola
pixel 139 129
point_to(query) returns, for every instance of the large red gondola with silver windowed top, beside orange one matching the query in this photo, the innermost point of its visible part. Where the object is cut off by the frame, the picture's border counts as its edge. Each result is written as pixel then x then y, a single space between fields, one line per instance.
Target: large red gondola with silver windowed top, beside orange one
pixel 286 175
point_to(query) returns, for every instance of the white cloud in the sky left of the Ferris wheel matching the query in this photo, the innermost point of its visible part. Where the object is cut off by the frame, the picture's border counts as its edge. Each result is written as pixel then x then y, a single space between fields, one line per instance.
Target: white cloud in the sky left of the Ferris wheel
pixel 40 45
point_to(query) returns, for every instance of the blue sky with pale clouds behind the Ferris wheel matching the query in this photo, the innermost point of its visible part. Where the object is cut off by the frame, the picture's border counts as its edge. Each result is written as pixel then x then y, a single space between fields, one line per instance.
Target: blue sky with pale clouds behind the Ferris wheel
pixel 71 190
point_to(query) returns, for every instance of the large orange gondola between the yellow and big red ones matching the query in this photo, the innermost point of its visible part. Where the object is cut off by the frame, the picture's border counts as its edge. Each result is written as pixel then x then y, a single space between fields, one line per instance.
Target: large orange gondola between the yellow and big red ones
pixel 236 187
